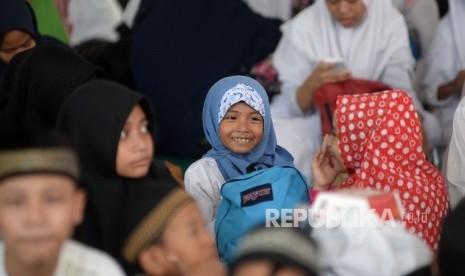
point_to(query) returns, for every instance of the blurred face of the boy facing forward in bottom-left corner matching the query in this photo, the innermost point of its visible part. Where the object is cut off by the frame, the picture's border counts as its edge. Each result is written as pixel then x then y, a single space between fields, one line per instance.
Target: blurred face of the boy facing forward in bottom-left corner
pixel 38 212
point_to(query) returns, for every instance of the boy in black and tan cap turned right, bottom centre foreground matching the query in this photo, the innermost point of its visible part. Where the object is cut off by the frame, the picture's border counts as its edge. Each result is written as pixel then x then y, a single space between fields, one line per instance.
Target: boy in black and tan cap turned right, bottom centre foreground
pixel 166 234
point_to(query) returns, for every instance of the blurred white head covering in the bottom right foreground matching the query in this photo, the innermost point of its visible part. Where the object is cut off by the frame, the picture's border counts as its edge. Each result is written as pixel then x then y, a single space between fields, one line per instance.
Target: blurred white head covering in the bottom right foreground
pixel 367 251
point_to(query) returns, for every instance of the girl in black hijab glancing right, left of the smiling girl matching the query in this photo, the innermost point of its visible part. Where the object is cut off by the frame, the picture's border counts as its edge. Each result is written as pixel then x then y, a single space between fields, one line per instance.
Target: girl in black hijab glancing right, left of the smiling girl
pixel 112 129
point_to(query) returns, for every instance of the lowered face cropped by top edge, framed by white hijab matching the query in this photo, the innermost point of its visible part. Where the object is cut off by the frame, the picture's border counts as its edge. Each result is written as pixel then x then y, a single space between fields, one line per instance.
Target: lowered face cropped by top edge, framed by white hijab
pixel 350 13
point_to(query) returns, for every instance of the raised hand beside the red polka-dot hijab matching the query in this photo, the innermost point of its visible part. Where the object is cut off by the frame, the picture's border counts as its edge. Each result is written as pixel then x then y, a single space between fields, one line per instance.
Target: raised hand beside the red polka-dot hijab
pixel 324 171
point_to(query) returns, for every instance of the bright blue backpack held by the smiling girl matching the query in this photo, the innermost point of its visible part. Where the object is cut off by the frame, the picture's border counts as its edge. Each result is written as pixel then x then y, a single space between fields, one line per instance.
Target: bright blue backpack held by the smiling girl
pixel 246 198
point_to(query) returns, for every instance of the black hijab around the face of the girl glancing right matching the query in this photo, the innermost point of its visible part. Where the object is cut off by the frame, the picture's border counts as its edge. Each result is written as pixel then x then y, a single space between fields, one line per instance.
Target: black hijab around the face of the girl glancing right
pixel 93 118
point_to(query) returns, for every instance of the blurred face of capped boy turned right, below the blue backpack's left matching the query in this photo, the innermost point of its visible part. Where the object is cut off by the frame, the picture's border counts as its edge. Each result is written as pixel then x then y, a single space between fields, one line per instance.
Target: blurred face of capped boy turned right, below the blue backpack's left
pixel 187 241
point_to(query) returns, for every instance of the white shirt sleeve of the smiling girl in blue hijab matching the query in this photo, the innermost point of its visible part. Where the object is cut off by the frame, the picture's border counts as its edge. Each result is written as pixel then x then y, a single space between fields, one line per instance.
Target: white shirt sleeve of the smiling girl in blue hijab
pixel 203 181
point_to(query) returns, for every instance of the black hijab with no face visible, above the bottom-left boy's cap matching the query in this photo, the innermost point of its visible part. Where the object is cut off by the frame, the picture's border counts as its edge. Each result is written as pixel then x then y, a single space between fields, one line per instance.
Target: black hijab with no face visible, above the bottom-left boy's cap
pixel 37 82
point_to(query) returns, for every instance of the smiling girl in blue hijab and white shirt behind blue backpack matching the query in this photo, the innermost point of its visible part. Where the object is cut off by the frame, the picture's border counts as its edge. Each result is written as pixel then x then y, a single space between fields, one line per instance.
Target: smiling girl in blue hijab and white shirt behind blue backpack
pixel 237 124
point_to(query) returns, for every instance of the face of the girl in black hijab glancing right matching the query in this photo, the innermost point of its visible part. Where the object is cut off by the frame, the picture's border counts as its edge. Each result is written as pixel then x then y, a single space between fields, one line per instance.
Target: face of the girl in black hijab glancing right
pixel 135 149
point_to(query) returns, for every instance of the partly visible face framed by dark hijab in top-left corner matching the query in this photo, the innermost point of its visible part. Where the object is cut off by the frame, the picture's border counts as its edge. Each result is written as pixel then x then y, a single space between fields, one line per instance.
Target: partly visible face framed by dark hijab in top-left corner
pixel 13 43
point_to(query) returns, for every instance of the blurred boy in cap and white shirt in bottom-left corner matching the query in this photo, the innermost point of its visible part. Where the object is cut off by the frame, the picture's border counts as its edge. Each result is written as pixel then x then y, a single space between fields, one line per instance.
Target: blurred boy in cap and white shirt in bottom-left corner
pixel 40 204
